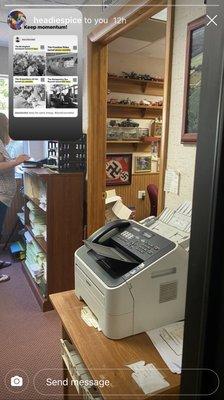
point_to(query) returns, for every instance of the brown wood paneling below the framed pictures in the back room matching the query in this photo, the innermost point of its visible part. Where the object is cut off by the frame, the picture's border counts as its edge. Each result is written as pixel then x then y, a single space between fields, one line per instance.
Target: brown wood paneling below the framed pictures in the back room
pixel 129 193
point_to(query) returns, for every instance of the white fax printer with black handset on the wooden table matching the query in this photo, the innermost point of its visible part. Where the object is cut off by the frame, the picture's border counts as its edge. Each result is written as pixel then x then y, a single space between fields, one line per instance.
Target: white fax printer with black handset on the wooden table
pixel 133 276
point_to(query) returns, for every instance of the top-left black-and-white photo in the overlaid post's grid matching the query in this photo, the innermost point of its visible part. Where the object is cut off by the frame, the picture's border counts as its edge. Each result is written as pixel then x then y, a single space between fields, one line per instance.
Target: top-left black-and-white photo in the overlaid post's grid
pixel 28 64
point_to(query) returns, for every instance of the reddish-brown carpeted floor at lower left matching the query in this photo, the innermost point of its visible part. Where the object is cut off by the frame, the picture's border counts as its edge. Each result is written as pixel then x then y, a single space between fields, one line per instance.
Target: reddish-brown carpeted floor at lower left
pixel 29 341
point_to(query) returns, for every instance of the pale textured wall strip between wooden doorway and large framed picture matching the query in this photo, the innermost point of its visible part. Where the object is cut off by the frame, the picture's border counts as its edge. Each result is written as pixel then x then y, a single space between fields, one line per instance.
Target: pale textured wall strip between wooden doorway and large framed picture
pixel 181 157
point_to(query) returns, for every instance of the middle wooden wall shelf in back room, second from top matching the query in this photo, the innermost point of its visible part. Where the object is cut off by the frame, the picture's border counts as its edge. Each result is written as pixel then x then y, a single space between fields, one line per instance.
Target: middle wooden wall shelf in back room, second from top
pixel 116 110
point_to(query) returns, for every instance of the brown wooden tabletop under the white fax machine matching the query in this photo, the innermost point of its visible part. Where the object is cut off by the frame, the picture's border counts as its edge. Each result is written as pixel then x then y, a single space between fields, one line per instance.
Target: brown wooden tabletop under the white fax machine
pixel 106 358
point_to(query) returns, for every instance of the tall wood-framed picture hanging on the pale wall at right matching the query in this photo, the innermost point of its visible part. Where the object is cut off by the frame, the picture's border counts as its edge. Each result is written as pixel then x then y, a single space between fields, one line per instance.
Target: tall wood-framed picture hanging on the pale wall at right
pixel 192 85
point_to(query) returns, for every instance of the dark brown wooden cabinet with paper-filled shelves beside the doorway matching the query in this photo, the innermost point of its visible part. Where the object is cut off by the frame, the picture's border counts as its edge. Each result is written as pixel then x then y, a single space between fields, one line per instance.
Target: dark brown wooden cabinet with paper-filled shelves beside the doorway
pixel 63 216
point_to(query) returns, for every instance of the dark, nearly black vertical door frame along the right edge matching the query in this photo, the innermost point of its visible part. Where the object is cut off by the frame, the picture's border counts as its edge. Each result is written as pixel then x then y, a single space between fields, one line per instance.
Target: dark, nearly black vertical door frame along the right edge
pixel 204 315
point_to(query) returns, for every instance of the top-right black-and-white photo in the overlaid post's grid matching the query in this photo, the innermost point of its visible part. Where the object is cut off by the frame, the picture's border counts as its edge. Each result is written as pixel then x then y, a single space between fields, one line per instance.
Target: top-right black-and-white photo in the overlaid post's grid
pixel 64 64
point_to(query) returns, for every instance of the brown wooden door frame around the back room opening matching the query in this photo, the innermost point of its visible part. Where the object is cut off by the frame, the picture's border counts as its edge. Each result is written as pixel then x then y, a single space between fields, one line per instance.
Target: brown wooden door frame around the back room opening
pixel 97 71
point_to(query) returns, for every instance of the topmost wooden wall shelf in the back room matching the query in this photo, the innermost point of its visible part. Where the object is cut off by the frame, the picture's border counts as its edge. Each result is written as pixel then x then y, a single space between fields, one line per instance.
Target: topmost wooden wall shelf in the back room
pixel 135 86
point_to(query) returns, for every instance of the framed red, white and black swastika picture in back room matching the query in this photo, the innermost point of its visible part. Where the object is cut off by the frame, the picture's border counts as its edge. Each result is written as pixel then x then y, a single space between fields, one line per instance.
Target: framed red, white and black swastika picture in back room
pixel 118 169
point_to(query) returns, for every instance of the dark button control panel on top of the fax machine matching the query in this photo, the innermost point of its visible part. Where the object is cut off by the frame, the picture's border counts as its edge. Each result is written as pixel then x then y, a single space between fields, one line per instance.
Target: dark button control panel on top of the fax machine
pixel 140 242
